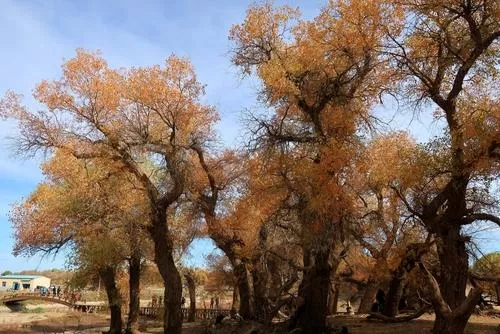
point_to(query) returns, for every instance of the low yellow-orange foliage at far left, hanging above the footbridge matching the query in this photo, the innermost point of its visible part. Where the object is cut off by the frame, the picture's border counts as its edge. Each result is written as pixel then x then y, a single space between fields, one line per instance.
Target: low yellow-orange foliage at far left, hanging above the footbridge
pixel 78 201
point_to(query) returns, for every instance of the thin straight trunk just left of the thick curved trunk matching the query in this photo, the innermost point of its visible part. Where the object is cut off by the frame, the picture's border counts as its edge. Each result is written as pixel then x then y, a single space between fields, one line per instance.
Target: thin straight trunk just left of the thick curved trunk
pixel 134 289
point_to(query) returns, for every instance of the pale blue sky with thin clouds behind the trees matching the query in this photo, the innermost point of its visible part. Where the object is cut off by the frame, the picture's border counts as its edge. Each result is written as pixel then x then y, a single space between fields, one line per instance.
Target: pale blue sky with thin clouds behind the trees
pixel 36 36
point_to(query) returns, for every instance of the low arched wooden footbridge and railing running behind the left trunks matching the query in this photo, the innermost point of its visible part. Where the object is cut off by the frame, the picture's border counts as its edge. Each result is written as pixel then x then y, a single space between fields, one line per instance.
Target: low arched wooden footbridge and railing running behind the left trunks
pixel 149 311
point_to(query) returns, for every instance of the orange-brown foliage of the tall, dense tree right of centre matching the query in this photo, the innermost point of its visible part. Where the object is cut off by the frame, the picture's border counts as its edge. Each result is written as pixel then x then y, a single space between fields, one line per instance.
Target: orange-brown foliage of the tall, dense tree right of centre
pixel 320 77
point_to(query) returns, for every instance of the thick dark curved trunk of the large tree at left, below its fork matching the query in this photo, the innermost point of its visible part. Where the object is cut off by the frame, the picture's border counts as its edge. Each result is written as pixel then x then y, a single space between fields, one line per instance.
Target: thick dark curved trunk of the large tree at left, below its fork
pixel 172 318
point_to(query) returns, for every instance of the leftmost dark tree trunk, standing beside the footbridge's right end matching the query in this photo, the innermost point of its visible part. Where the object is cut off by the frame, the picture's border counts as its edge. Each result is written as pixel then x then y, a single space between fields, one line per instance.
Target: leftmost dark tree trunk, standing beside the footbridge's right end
pixel 108 276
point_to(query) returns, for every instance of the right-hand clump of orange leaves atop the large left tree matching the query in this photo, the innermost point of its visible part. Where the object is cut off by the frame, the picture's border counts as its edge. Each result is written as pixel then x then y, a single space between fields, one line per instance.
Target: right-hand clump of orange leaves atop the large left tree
pixel 165 101
